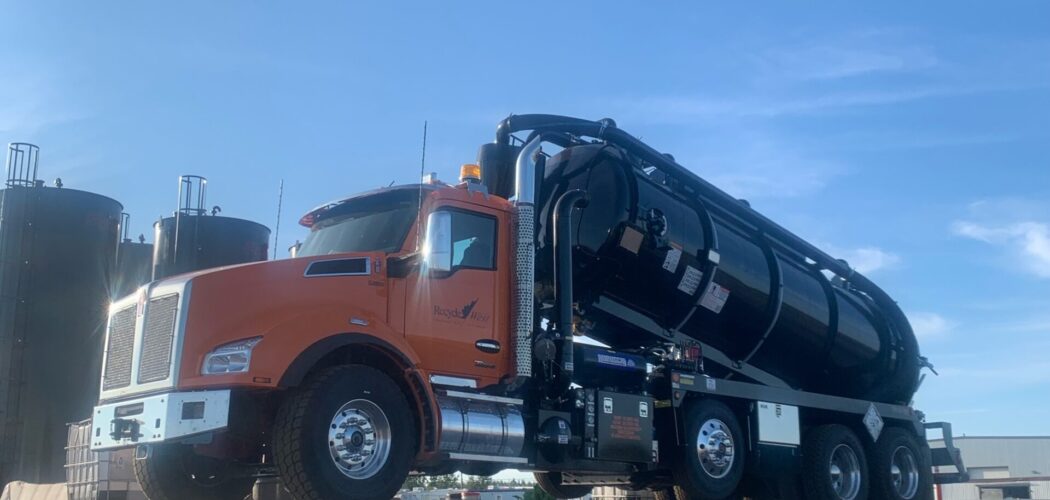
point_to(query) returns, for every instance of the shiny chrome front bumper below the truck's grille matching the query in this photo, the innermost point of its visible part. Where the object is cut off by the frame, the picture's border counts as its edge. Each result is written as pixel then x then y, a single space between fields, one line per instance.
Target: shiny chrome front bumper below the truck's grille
pixel 159 419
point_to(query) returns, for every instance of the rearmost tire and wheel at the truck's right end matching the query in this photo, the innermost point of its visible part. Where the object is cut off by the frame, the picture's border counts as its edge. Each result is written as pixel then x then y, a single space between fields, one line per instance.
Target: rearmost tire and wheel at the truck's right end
pixel 900 468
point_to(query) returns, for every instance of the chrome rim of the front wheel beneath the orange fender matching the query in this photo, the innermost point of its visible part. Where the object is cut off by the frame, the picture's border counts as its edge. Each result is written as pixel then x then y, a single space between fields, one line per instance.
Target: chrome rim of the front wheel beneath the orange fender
pixel 360 440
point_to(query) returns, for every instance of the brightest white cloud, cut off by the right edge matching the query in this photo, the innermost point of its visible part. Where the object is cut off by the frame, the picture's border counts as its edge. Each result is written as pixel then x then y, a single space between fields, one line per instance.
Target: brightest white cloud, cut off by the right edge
pixel 1028 241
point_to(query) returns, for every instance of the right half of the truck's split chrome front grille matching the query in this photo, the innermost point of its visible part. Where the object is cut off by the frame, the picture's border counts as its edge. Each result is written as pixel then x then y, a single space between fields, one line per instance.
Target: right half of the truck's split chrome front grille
pixel 158 339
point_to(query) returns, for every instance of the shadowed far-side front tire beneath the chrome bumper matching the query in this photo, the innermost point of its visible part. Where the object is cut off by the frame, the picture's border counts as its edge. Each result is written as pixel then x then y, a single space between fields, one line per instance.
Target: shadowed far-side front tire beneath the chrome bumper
pixel 174 472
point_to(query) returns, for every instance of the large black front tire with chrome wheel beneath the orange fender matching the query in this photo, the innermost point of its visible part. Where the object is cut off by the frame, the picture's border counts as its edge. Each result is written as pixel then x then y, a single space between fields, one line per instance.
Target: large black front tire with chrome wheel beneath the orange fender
pixel 349 433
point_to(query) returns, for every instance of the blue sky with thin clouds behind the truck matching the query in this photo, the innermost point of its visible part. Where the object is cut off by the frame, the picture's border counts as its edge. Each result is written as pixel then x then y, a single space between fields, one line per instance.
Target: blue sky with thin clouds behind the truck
pixel 911 139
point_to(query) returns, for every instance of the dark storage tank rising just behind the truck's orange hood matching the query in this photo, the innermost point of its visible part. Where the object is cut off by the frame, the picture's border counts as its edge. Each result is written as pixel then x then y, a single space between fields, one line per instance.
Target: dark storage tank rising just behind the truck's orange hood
pixel 193 240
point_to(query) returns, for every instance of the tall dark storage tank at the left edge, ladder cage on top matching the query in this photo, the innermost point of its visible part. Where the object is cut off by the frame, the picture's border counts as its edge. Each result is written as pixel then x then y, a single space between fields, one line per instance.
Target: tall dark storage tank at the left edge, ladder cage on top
pixel 58 248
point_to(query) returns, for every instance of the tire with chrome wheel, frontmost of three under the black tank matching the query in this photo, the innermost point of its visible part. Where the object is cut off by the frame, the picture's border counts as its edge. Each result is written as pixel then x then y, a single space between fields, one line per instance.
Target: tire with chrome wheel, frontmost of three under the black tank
pixel 711 465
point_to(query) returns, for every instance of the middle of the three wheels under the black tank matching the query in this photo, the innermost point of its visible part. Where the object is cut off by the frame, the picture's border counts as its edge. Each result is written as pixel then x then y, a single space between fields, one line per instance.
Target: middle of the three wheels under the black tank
pixel 834 467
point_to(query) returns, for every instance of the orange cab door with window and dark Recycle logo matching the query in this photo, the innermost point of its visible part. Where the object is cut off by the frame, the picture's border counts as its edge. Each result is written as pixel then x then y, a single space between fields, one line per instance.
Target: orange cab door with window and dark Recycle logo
pixel 453 310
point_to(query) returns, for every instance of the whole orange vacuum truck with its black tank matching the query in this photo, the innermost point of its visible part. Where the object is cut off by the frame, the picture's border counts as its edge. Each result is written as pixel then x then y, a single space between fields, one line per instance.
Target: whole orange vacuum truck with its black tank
pixel 435 328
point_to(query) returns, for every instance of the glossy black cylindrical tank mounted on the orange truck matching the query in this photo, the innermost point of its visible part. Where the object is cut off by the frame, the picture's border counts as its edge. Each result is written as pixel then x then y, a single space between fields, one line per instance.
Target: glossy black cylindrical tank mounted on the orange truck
pixel 654 262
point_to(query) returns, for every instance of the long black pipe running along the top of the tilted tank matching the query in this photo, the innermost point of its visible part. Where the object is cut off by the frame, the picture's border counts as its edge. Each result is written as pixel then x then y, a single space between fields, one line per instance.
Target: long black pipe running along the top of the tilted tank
pixel 780 238
